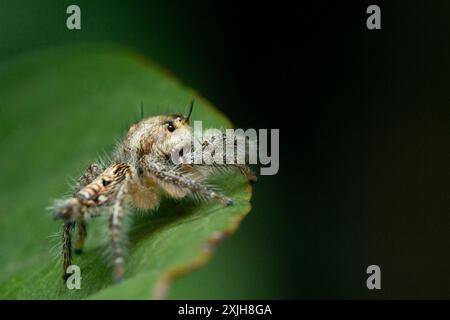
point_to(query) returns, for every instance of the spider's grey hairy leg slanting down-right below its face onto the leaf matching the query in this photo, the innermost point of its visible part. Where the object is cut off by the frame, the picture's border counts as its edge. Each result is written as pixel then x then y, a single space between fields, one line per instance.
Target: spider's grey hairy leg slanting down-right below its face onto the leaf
pixel 166 173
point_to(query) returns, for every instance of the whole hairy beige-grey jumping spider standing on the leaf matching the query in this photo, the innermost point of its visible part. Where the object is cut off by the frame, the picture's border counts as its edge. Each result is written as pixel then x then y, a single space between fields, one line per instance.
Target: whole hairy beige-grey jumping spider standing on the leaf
pixel 143 169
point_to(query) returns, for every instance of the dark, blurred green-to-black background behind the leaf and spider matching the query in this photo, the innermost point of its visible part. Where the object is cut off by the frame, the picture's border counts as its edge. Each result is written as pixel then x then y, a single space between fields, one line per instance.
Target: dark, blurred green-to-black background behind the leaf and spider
pixel 364 118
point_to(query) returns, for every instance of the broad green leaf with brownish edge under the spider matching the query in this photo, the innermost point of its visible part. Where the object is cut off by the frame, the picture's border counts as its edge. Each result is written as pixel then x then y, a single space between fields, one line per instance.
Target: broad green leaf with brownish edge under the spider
pixel 59 110
